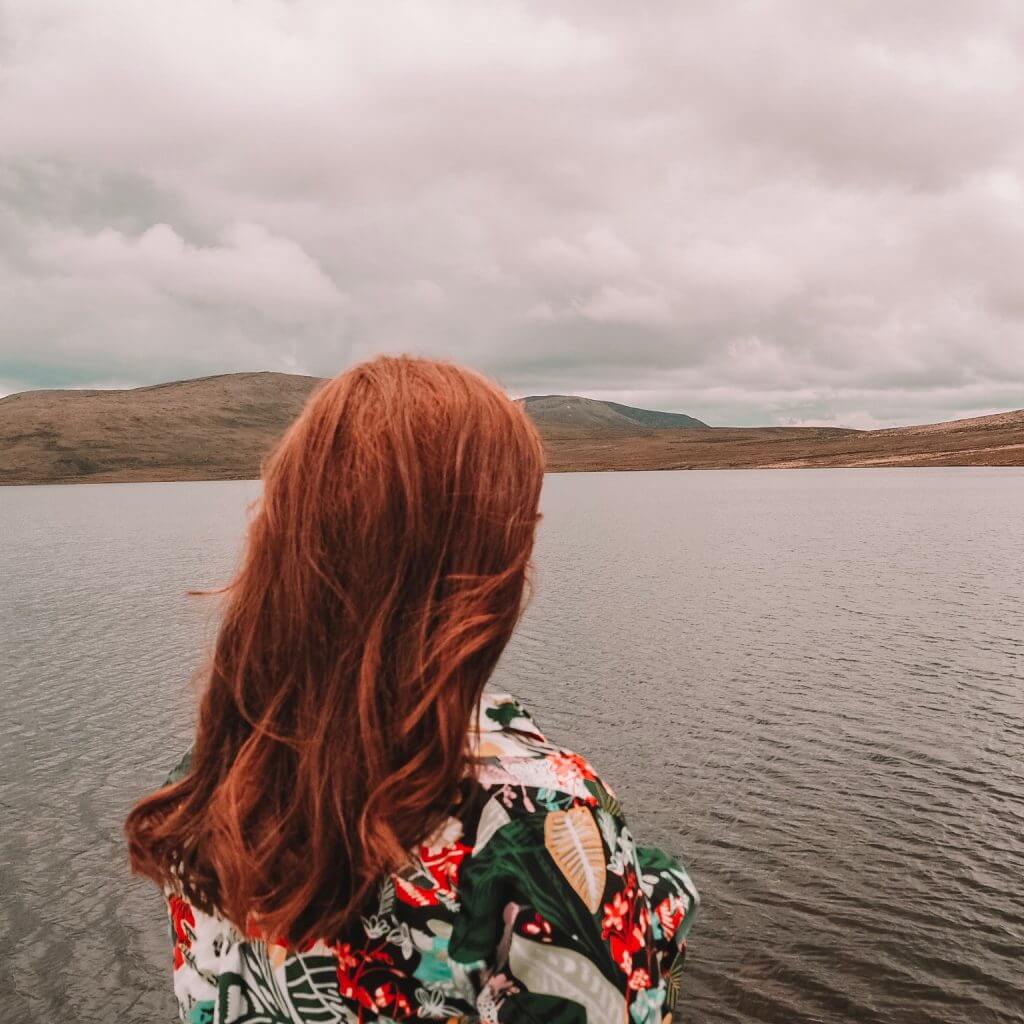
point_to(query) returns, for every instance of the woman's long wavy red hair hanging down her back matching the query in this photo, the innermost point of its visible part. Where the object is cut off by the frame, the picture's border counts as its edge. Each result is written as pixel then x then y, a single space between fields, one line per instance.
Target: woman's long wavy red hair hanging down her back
pixel 386 570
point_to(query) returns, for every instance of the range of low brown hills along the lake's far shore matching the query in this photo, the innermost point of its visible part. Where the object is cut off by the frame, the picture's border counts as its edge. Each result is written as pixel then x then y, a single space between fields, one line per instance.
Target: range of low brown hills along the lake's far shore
pixel 222 428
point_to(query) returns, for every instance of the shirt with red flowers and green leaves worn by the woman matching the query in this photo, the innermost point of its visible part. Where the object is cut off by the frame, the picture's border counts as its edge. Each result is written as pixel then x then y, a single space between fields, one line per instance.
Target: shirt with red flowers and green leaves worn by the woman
pixel 531 904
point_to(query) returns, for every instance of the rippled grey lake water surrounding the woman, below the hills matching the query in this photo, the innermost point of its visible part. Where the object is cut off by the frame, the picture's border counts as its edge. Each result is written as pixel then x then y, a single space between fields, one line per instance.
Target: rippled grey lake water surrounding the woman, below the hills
pixel 809 685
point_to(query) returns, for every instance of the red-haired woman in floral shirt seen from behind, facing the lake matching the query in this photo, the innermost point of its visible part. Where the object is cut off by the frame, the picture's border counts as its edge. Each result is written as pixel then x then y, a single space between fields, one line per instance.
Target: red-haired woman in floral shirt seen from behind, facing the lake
pixel 361 832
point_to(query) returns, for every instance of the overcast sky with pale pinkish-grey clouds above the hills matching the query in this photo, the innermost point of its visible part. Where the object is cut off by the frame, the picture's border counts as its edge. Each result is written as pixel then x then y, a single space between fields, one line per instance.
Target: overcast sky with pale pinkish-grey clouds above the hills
pixel 785 211
